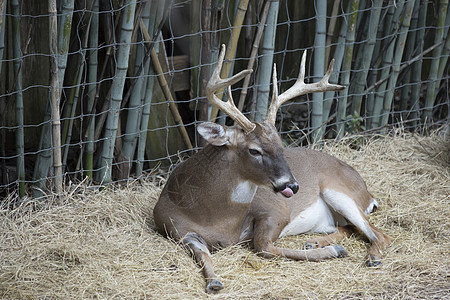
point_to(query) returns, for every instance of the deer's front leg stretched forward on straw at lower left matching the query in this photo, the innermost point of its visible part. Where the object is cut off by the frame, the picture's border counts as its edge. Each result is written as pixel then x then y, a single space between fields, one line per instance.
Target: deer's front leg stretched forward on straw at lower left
pixel 202 256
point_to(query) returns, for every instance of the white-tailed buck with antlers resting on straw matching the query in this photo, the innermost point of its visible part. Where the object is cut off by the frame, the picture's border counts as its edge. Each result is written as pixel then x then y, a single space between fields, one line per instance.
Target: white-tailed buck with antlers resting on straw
pixel 212 199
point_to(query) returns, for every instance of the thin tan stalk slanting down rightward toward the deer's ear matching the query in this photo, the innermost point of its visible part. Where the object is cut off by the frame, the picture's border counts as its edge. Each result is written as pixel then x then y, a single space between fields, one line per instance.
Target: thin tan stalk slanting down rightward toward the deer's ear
pixel 165 88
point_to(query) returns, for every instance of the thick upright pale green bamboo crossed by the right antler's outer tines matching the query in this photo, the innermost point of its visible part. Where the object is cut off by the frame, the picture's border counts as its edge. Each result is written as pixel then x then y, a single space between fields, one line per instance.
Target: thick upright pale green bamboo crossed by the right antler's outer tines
pixel 319 66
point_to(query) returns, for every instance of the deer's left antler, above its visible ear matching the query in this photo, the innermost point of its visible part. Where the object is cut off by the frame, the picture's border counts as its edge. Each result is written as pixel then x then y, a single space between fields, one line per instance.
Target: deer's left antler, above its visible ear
pixel 216 83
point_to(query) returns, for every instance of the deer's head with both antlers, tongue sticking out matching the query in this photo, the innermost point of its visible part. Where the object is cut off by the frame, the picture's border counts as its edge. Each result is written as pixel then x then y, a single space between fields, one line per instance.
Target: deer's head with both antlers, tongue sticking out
pixel 255 147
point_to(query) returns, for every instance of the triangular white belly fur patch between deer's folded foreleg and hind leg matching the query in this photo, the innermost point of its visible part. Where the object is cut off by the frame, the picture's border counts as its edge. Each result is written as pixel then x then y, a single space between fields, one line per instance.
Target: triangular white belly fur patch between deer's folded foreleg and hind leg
pixel 316 218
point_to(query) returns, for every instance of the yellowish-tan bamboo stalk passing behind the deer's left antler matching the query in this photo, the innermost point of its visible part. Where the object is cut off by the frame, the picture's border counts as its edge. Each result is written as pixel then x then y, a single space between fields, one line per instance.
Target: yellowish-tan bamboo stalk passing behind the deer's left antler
pixel 231 48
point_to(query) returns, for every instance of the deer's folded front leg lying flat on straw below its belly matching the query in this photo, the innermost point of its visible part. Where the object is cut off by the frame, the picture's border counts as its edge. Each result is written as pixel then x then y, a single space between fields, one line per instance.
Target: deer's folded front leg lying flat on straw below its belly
pixel 268 229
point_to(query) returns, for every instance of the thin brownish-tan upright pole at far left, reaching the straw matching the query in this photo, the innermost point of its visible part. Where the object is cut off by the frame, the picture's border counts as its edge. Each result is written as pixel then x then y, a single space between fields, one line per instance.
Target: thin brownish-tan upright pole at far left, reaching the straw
pixel 55 97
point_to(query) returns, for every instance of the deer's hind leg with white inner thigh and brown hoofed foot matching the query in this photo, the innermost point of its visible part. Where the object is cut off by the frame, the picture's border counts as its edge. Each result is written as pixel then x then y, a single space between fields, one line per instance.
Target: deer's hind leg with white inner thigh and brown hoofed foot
pixel 347 207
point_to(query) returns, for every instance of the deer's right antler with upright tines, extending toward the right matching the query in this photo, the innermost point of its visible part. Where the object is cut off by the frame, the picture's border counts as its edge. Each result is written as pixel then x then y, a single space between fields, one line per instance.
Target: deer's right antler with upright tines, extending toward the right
pixel 301 88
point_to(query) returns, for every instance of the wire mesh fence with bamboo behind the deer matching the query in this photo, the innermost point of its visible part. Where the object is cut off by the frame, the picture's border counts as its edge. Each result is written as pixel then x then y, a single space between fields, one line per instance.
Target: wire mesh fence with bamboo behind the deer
pixel 129 78
